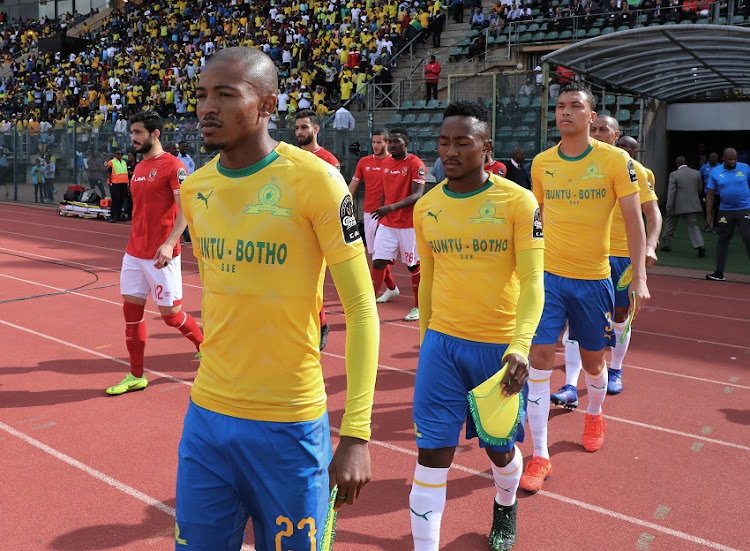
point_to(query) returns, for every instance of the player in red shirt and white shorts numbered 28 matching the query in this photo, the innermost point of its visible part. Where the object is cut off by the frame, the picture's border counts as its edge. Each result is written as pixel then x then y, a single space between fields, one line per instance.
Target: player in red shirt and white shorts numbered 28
pixel 403 185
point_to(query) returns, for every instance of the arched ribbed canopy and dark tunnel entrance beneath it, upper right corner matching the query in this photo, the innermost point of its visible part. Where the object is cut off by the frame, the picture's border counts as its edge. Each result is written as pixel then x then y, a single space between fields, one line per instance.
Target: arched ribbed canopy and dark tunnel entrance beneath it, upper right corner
pixel 691 83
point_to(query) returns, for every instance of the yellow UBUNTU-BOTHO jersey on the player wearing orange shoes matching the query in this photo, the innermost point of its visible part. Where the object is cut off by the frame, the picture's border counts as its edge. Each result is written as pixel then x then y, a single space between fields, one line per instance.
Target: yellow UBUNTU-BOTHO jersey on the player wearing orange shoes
pixel 579 195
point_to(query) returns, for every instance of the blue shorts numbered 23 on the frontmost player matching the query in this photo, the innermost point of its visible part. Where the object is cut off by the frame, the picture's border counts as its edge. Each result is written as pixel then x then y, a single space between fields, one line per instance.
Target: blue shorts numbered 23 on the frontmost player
pixel 231 470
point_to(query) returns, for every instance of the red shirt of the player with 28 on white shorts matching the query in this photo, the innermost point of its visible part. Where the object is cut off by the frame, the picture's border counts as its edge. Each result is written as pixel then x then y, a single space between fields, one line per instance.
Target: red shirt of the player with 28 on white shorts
pixel 397 179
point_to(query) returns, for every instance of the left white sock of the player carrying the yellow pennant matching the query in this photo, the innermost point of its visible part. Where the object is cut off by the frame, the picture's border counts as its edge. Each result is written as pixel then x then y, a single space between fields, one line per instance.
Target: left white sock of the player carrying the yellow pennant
pixel 427 502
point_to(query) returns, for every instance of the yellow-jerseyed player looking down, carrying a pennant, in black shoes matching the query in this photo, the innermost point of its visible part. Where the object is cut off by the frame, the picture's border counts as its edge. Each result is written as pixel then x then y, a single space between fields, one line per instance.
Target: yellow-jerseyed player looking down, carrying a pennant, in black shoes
pixel 481 294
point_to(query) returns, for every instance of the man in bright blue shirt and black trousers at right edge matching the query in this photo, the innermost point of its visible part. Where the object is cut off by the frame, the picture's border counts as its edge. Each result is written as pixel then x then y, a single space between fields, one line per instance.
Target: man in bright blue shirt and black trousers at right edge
pixel 730 180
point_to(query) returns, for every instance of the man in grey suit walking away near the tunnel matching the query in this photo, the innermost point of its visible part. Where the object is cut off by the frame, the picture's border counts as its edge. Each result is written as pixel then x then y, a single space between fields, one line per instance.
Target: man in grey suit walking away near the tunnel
pixel 683 200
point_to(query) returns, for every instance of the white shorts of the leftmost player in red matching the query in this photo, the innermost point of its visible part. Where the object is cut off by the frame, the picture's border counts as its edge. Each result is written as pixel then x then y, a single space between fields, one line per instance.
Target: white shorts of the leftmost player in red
pixel 140 278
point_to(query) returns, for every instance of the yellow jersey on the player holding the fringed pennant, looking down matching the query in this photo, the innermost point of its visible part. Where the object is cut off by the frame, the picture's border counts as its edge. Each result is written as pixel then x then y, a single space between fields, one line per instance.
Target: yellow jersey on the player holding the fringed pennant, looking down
pixel 473 239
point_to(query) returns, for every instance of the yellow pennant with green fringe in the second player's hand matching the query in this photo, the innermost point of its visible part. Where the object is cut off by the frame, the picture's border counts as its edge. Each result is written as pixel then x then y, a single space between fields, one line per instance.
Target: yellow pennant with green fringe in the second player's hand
pixel 495 415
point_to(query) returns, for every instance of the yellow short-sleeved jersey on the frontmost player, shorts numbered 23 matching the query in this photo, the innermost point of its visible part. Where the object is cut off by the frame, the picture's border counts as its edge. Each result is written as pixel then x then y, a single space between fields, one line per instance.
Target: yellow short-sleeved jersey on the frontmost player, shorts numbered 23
pixel 261 235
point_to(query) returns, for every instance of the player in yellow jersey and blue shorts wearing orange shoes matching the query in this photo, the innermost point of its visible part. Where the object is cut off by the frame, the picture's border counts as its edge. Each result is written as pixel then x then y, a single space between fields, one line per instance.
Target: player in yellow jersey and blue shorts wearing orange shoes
pixel 578 184
